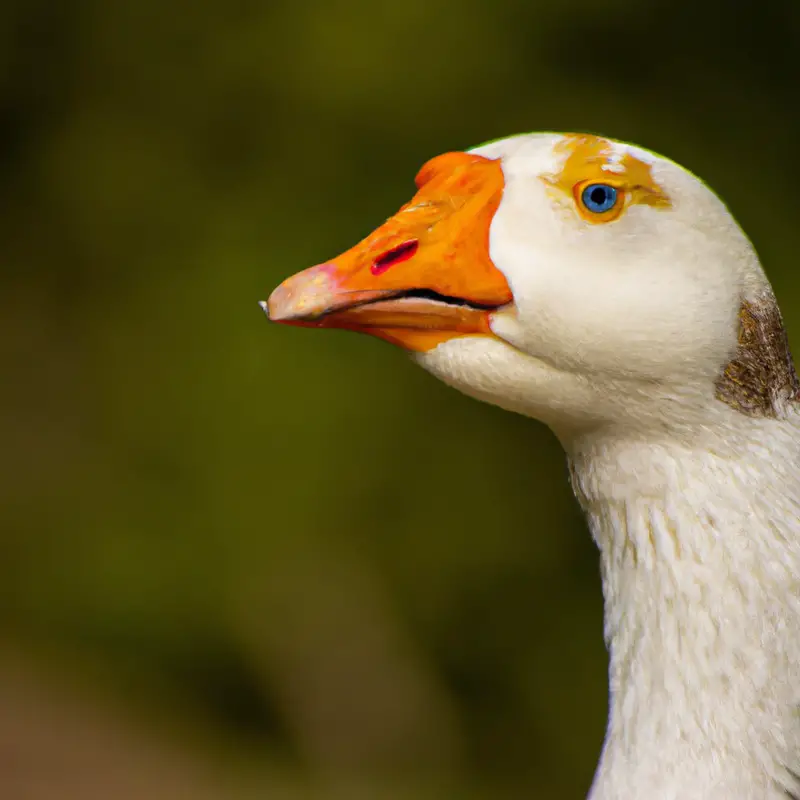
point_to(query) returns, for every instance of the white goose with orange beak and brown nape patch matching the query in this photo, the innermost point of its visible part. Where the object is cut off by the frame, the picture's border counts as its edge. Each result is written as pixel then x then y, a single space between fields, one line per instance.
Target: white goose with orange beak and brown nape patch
pixel 609 293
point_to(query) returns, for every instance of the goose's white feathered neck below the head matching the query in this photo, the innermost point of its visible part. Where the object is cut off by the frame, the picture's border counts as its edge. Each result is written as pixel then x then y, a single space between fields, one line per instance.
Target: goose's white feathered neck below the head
pixel 700 554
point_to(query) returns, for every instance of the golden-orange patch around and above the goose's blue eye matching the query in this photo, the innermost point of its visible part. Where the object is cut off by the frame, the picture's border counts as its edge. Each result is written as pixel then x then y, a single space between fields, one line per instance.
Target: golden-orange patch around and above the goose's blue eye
pixel 594 160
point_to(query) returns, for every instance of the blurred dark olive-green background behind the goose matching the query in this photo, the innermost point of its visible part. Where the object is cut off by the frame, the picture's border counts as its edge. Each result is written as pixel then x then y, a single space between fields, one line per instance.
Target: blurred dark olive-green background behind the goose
pixel 243 561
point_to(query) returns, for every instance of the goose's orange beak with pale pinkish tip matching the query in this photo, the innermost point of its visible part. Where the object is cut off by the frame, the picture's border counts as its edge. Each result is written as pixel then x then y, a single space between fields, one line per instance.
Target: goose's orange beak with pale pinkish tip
pixel 422 277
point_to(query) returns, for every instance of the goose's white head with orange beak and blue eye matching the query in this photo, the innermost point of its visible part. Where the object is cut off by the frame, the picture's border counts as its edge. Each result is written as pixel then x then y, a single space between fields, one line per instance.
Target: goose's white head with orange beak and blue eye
pixel 576 279
